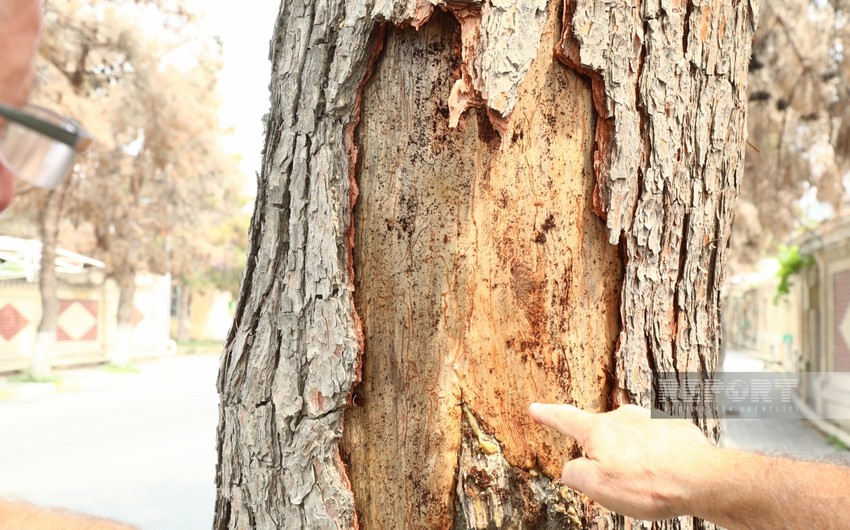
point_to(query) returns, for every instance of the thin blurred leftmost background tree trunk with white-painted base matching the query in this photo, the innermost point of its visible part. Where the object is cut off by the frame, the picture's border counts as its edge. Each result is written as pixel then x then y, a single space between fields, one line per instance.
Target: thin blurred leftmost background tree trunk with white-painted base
pixel 45 338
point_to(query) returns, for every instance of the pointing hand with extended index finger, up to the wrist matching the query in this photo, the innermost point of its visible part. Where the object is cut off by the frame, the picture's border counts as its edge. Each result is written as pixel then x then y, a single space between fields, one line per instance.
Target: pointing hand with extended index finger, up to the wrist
pixel 634 465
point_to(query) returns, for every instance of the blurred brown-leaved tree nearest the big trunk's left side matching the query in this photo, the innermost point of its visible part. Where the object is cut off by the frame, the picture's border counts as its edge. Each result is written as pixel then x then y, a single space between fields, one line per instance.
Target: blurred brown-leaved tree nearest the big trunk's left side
pixel 163 177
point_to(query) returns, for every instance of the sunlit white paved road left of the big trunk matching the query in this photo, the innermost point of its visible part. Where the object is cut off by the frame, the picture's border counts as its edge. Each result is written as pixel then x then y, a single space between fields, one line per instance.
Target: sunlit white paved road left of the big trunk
pixel 140 451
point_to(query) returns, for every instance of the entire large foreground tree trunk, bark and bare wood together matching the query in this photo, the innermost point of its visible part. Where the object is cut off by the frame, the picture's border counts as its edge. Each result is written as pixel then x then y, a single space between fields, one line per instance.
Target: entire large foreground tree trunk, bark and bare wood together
pixel 536 200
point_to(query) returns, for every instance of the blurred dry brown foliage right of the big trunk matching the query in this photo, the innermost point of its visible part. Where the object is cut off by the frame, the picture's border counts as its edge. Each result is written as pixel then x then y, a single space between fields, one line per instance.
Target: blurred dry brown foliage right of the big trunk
pixel 799 122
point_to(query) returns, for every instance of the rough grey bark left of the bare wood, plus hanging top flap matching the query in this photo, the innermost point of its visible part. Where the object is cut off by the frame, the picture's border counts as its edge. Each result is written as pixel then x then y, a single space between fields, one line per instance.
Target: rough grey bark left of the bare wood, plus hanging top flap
pixel 292 356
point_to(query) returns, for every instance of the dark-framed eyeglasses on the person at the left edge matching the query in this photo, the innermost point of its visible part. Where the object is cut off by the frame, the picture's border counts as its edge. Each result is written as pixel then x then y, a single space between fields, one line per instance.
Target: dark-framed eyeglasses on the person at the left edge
pixel 39 145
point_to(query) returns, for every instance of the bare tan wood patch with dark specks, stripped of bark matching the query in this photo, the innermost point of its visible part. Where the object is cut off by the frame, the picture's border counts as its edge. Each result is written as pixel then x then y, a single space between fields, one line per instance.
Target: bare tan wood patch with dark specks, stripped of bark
pixel 482 276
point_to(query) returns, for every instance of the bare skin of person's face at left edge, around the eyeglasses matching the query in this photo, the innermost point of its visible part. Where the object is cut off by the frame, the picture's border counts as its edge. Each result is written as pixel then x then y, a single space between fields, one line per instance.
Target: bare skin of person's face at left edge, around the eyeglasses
pixel 20 24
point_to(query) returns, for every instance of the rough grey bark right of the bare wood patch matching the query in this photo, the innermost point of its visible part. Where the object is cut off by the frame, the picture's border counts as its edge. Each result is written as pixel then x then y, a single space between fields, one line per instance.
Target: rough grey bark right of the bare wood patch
pixel 669 159
